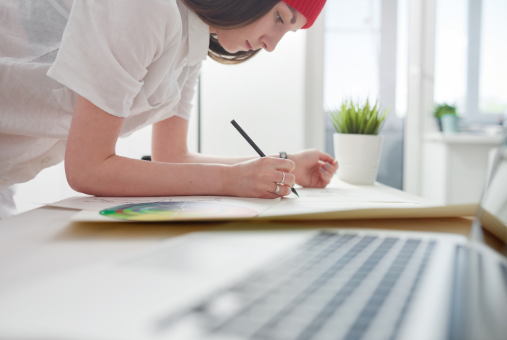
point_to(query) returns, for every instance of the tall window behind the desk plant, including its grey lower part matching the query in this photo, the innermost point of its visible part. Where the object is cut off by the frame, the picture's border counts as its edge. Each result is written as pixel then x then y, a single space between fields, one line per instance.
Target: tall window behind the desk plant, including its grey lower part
pixel 365 53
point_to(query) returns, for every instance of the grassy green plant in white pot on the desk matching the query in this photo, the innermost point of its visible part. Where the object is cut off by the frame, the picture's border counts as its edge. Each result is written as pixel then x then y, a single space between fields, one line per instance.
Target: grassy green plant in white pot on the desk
pixel 357 145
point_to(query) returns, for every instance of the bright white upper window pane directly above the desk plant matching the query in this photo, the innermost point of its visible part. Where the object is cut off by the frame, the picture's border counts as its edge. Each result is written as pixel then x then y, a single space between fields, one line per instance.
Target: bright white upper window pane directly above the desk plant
pixel 352 50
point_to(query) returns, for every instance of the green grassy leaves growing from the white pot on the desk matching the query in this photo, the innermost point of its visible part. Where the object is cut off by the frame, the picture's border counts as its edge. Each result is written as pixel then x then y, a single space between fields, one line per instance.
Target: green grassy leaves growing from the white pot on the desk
pixel 358 119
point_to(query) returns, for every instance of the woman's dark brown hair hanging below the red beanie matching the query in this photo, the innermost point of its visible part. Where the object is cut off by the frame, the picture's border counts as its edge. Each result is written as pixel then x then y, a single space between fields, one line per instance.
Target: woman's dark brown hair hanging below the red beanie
pixel 226 15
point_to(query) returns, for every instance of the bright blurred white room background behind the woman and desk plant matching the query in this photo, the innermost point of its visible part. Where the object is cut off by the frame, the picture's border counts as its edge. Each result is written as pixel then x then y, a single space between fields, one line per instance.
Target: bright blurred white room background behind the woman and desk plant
pixel 412 55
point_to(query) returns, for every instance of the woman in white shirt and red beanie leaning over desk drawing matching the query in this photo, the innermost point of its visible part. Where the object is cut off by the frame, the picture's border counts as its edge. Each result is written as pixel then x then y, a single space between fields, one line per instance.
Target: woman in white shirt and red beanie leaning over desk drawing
pixel 72 82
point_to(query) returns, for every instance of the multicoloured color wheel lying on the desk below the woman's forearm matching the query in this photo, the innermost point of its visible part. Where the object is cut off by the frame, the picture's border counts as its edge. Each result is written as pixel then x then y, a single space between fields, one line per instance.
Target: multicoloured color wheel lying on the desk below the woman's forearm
pixel 176 211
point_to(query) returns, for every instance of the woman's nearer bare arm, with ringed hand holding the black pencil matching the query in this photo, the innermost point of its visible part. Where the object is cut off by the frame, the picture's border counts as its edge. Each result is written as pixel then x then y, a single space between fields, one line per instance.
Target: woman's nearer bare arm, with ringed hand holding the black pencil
pixel 92 166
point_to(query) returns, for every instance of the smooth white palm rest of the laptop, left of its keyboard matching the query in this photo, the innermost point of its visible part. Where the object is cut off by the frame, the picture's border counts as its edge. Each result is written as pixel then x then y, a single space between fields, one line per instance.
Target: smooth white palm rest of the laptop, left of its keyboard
pixel 124 299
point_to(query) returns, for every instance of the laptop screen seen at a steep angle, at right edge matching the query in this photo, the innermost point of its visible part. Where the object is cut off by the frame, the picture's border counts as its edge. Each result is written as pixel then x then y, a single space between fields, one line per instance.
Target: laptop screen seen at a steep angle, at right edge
pixel 494 202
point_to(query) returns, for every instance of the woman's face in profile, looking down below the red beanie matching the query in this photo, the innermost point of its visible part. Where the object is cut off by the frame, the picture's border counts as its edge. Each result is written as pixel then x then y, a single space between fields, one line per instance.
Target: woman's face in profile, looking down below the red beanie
pixel 264 33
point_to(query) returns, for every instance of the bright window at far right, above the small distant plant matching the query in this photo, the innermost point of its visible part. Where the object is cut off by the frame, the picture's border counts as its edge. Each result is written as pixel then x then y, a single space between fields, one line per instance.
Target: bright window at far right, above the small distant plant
pixel 470 54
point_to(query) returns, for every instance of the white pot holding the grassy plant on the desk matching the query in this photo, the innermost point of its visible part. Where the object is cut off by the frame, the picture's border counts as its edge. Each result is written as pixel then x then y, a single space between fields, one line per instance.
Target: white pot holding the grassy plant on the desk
pixel 358 157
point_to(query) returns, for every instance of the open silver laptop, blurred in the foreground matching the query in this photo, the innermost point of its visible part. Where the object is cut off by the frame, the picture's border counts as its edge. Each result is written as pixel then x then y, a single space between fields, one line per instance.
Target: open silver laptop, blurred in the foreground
pixel 283 285
